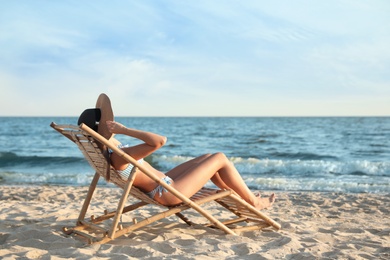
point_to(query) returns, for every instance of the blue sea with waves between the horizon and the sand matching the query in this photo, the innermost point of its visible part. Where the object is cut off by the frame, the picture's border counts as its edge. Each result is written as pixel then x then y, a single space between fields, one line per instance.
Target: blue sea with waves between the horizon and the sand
pixel 344 154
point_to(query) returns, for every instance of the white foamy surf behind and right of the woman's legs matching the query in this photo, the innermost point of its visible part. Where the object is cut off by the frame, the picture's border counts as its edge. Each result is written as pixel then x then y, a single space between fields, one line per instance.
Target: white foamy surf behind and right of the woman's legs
pixel 315 175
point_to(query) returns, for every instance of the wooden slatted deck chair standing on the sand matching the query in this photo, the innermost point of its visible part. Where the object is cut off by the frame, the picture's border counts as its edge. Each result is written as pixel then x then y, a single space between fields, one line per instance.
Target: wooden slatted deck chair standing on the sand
pixel 106 227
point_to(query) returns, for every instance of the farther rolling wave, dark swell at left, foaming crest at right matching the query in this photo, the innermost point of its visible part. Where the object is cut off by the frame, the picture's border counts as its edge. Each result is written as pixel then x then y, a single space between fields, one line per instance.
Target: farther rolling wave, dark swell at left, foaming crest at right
pixel 246 166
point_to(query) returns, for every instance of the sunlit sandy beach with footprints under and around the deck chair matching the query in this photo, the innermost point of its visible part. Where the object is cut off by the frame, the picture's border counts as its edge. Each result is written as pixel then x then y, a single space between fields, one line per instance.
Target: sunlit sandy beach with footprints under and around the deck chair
pixel 314 226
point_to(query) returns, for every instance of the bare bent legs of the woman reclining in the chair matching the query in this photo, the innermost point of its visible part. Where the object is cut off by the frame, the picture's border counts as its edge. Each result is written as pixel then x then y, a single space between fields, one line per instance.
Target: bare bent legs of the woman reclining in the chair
pixel 195 177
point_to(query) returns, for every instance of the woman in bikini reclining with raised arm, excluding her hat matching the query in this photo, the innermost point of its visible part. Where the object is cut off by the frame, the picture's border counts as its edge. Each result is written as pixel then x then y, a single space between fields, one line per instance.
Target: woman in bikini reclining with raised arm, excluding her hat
pixel 188 178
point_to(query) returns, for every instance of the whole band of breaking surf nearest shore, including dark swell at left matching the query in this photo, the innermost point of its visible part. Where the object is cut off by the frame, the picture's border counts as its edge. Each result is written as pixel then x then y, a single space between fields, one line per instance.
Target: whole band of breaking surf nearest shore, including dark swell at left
pixel 259 174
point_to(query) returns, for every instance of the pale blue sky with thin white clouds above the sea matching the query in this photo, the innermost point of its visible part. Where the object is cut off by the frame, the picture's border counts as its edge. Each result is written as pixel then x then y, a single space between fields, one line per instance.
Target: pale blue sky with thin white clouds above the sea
pixel 196 57
